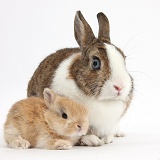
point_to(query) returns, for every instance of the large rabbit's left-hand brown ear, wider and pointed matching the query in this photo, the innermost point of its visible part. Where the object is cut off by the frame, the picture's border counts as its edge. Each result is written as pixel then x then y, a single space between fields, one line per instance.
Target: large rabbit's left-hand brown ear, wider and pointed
pixel 82 31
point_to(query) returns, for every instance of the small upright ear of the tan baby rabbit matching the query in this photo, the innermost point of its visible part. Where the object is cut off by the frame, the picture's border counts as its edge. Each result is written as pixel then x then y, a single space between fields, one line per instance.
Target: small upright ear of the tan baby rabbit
pixel 49 97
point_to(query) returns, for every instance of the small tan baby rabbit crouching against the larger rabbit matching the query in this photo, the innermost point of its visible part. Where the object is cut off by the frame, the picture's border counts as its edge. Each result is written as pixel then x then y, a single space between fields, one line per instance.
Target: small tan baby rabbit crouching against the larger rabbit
pixel 51 123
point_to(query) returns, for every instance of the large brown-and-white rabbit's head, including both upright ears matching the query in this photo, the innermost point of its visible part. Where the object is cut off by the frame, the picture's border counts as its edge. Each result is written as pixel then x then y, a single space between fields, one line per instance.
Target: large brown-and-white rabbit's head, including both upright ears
pixel 100 70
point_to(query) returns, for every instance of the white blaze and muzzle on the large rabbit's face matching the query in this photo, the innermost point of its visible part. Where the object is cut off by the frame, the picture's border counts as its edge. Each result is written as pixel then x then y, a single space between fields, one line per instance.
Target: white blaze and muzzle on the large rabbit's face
pixel 119 76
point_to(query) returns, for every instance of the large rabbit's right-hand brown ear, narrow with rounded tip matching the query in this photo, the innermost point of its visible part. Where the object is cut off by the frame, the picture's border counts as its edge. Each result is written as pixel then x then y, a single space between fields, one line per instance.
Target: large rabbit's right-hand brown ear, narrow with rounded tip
pixel 104 29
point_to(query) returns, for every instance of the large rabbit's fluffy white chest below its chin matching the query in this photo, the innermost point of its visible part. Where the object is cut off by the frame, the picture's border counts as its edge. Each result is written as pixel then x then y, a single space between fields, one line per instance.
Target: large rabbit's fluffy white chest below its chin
pixel 104 116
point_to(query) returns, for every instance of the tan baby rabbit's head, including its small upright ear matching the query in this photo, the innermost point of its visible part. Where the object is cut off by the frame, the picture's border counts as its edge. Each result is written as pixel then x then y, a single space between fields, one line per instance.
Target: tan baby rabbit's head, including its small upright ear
pixel 64 116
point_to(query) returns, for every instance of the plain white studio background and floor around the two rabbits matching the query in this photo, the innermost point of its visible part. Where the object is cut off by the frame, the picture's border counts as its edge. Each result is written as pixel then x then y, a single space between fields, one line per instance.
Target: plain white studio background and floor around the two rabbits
pixel 32 29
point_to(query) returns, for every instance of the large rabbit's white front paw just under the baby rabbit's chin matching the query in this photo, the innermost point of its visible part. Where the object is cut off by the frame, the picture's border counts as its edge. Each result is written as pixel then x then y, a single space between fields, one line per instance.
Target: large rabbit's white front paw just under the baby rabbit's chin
pixel 91 140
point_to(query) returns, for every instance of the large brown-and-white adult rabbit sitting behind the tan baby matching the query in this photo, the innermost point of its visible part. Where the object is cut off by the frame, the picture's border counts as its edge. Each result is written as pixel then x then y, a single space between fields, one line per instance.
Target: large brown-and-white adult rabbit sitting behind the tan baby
pixel 94 75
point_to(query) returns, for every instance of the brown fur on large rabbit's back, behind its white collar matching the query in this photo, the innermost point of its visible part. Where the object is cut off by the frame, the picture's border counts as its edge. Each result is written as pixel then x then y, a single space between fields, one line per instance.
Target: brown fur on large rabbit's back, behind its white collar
pixel 44 74
